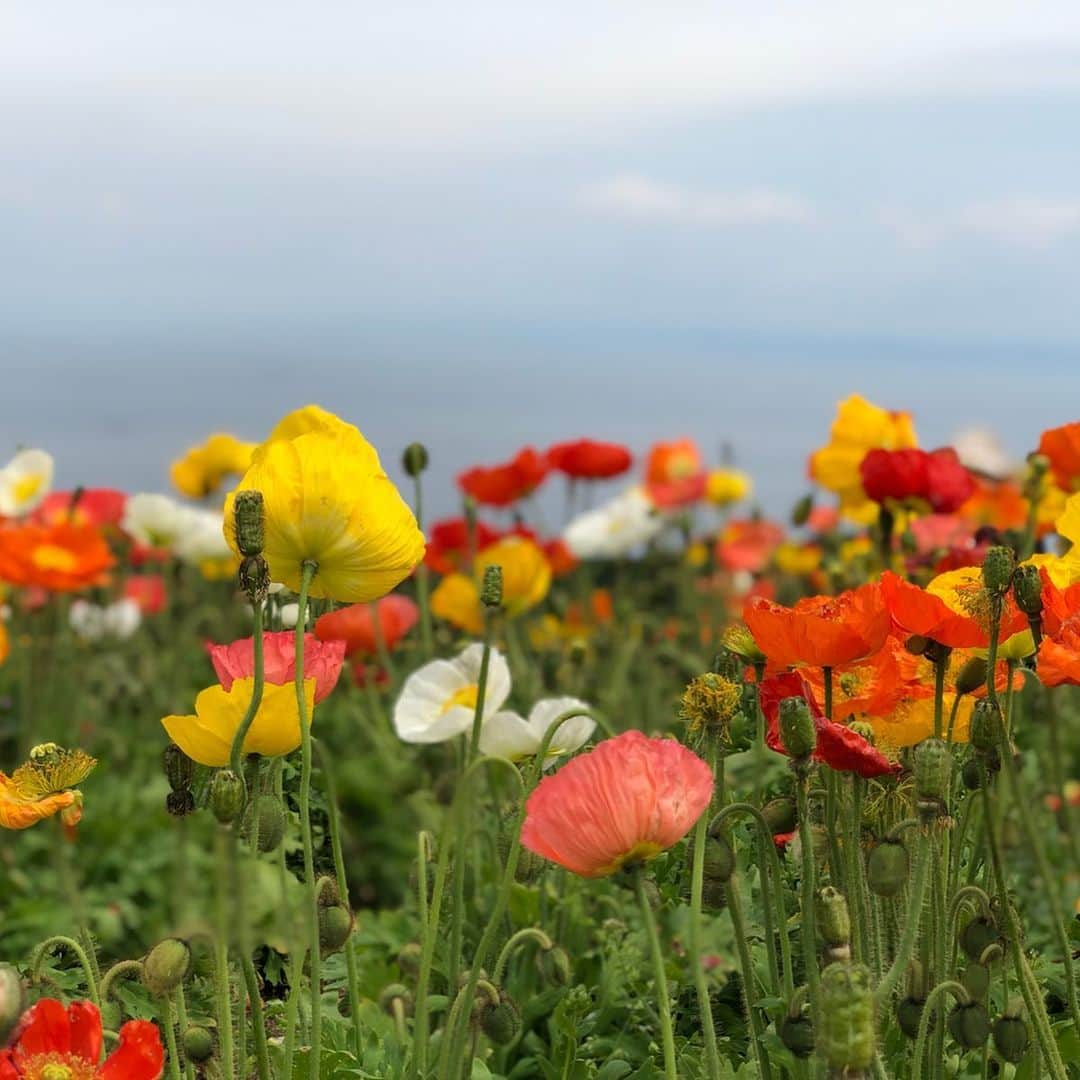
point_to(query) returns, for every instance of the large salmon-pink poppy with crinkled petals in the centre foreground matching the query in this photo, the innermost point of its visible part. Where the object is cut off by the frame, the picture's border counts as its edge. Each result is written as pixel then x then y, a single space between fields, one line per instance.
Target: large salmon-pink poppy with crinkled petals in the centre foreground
pixel 627 801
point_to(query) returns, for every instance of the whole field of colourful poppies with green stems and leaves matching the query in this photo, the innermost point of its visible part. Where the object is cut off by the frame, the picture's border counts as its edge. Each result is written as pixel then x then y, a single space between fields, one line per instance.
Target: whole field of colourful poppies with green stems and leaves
pixel 300 782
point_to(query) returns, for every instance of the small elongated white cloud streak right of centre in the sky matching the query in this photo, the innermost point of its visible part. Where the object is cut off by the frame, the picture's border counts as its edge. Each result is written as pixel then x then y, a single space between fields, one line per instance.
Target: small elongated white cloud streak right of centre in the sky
pixel 636 198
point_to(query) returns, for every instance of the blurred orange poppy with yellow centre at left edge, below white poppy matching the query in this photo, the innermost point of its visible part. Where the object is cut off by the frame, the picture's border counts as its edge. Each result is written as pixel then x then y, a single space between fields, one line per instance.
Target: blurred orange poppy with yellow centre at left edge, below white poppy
pixel 61 559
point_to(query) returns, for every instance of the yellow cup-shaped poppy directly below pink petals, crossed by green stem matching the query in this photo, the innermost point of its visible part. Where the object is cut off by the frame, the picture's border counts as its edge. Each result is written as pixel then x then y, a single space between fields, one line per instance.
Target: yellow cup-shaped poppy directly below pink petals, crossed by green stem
pixel 207 737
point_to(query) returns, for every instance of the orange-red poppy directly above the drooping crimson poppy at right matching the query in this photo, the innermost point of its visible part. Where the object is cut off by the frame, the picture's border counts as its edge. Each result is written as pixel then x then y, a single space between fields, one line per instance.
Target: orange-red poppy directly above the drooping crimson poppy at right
pixel 821 631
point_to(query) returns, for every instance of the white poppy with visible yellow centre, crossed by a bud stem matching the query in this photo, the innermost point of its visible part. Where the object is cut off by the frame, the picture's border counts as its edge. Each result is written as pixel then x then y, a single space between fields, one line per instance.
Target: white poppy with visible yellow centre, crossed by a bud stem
pixel 438 700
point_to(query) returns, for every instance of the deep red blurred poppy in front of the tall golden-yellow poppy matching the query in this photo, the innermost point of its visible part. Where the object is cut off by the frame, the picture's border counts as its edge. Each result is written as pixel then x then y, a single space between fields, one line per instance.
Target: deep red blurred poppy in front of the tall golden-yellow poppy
pixel 937 479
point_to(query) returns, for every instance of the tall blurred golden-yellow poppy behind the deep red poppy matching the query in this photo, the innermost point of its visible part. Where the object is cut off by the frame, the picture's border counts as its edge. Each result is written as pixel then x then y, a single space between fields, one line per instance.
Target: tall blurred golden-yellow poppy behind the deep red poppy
pixel 859 427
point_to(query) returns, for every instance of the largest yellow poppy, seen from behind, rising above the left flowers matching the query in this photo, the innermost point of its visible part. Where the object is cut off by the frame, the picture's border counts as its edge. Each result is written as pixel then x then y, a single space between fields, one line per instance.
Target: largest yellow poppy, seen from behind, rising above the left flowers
pixel 327 501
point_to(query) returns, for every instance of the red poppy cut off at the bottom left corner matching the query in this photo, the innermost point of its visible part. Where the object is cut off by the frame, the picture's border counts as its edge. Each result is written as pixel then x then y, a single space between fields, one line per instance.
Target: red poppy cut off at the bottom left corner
pixel 52 1042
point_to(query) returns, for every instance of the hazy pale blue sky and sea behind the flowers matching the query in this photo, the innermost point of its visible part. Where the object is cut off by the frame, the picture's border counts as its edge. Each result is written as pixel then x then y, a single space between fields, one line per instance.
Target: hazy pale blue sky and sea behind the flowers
pixel 482 224
